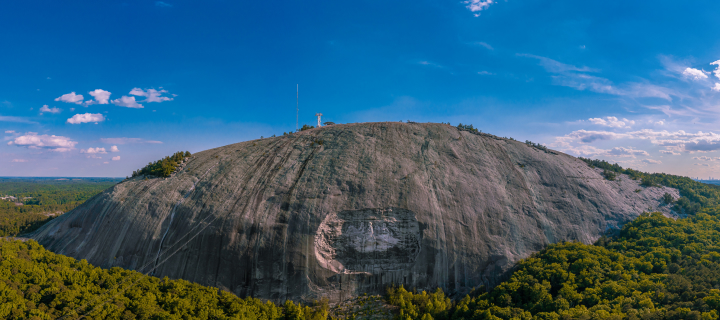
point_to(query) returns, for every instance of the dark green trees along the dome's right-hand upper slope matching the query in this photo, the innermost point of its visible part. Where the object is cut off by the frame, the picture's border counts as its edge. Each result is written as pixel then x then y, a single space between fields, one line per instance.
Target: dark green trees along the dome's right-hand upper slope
pixel 694 195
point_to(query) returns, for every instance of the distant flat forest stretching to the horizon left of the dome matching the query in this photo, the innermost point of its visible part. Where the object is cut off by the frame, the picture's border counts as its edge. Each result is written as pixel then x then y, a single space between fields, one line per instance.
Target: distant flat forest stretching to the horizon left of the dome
pixel 42 199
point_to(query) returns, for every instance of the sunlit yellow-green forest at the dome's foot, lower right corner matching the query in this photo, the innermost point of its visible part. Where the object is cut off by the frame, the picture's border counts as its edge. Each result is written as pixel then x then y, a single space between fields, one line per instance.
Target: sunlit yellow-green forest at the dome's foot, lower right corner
pixel 657 268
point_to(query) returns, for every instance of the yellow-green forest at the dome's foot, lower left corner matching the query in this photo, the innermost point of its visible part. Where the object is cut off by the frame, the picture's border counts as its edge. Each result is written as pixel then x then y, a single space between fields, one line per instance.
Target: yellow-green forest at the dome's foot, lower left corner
pixel 38 284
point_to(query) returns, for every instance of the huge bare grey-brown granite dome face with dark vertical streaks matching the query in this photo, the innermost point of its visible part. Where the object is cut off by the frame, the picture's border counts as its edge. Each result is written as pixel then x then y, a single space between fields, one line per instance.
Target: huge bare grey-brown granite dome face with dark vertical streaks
pixel 347 209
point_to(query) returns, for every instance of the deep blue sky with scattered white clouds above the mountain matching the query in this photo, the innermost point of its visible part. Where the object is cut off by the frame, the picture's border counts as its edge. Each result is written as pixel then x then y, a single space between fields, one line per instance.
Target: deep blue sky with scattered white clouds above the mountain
pixel 629 82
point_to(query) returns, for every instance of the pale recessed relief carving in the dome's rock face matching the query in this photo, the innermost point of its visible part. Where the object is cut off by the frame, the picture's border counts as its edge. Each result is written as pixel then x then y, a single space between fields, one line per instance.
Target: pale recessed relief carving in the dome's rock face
pixel 368 240
